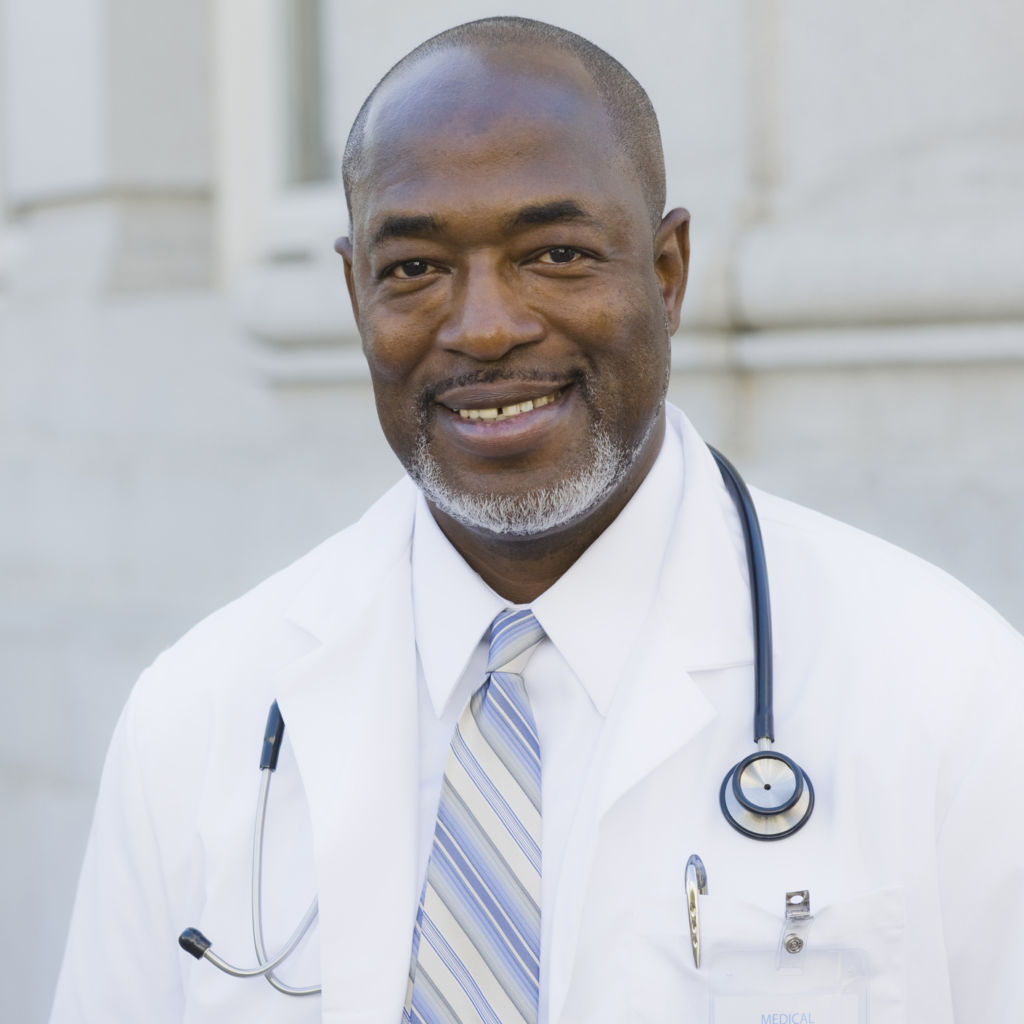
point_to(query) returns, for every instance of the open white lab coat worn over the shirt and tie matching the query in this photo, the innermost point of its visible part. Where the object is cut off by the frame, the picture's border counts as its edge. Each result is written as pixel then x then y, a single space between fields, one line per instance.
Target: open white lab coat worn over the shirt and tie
pixel 898 691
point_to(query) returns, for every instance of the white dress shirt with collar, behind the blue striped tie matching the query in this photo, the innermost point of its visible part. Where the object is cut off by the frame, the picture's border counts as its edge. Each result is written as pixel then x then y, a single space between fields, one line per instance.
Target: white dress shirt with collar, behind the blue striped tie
pixel 592 617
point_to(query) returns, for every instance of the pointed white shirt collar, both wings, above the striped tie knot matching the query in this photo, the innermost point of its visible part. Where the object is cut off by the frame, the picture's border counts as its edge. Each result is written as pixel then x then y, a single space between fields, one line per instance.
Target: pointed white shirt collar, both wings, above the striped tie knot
pixel 606 594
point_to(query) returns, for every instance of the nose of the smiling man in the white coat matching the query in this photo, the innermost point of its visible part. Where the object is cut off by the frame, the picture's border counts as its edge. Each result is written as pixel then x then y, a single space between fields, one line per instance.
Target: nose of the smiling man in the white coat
pixel 489 316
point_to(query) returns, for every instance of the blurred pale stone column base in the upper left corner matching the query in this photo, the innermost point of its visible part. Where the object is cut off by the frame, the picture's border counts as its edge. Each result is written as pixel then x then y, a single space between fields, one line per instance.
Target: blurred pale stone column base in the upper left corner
pixel 107 122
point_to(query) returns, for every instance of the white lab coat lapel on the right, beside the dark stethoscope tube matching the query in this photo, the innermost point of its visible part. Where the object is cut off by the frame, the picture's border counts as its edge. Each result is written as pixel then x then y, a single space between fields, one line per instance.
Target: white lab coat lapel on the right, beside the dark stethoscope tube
pixel 700 620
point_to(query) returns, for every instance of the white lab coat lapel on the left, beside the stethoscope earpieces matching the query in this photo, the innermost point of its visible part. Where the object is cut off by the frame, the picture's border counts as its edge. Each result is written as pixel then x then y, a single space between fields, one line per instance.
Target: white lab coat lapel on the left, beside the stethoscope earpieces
pixel 351 709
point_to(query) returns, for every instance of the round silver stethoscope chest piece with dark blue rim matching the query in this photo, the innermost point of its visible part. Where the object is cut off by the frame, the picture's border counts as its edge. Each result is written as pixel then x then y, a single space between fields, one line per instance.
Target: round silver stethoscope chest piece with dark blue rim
pixel 766 796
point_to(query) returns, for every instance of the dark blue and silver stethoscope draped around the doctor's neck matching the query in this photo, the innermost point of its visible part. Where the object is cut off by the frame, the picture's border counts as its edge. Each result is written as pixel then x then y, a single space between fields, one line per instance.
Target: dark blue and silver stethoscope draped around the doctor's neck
pixel 767 796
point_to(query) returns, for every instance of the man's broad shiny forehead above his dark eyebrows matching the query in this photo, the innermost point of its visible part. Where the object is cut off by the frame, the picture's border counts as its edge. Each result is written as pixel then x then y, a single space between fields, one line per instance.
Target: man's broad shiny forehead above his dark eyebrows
pixel 516 125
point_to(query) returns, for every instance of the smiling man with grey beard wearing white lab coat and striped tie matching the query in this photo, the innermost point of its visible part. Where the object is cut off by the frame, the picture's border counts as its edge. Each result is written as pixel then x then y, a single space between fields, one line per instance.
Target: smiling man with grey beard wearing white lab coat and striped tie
pixel 516 285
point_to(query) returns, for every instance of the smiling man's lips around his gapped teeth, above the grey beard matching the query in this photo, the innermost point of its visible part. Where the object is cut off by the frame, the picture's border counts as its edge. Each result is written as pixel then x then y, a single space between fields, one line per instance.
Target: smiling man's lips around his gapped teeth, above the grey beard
pixel 519 436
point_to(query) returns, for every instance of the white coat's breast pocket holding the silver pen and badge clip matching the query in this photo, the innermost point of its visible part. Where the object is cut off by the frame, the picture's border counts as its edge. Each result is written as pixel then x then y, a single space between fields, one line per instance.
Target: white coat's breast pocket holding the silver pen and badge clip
pixel 850 967
